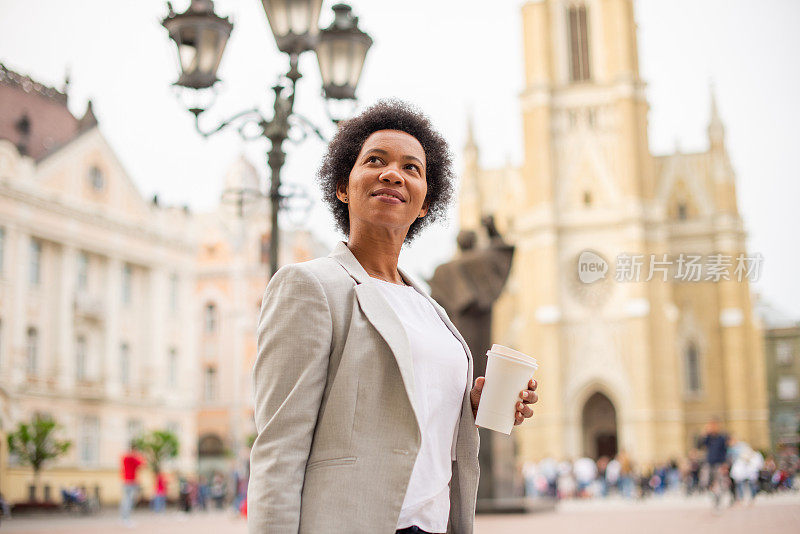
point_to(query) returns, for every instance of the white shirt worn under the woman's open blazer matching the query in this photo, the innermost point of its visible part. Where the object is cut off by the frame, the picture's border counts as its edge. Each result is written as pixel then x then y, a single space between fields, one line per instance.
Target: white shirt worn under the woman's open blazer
pixel 440 379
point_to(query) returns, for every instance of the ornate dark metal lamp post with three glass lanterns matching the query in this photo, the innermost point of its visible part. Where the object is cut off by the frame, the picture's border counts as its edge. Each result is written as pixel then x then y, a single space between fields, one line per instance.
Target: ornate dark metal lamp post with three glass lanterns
pixel 200 36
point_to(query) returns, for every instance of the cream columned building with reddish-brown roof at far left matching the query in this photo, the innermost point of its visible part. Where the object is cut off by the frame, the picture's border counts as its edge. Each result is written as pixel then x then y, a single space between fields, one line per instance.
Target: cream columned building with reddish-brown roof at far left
pixel 95 295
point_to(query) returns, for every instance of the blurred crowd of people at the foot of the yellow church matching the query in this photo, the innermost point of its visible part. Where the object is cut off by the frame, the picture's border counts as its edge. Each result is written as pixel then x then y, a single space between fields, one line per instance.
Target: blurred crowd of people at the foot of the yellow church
pixel 730 471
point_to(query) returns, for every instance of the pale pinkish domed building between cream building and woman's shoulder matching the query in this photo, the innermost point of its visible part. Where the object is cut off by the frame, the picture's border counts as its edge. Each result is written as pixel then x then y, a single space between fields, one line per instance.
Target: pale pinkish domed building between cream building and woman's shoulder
pixel 232 270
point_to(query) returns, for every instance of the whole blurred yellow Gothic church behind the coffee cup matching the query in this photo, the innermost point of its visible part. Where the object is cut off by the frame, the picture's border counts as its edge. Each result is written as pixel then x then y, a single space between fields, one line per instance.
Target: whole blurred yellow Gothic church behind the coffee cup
pixel 626 363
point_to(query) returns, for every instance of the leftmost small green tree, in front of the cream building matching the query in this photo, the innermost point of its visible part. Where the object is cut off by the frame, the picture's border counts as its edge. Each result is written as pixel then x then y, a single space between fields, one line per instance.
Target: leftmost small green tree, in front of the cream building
pixel 35 443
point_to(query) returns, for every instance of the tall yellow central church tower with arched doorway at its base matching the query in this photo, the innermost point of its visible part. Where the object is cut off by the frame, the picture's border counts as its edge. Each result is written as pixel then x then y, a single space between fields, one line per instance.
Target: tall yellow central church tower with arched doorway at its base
pixel 606 348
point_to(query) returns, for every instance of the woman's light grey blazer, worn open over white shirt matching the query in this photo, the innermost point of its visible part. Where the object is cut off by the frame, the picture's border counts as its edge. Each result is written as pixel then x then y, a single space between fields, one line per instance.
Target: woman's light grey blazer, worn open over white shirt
pixel 333 383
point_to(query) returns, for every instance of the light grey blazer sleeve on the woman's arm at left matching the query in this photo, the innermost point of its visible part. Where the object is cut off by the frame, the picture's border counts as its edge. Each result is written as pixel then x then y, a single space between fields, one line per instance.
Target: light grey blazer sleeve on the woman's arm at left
pixel 294 335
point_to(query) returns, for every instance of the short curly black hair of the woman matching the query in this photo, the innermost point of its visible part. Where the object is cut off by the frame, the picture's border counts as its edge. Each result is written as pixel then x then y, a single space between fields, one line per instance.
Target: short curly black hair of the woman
pixel 390 114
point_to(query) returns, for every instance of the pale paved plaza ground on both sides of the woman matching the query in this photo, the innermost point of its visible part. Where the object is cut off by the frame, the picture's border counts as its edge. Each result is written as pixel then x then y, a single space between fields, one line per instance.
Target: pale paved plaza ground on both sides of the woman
pixel 668 515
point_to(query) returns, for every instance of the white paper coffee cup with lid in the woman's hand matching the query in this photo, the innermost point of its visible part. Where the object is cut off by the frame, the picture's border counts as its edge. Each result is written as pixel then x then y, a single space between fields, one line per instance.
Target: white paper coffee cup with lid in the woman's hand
pixel 506 376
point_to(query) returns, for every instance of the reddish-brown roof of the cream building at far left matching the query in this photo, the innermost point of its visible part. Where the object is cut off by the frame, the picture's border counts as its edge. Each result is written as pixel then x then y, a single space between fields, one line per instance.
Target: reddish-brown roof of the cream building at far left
pixel 35 117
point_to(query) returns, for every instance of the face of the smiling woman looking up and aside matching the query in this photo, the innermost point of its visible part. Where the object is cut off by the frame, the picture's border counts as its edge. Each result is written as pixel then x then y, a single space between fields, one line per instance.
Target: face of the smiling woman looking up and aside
pixel 391 160
